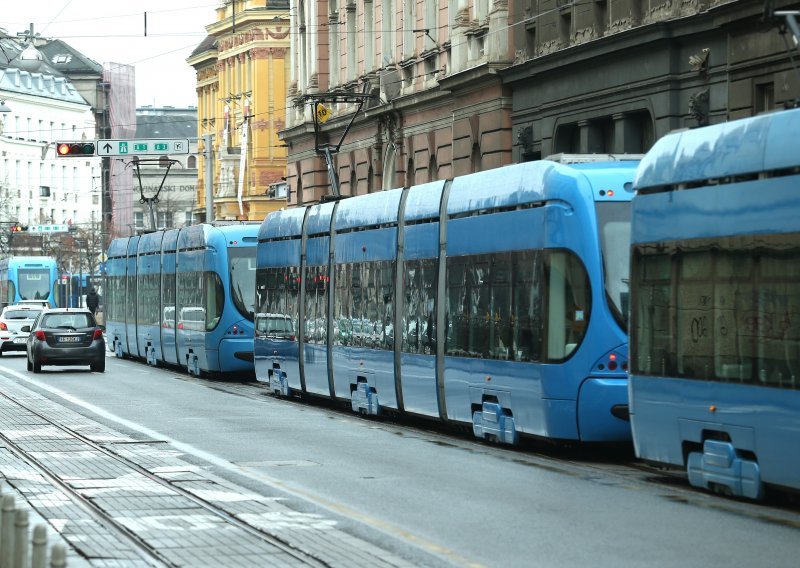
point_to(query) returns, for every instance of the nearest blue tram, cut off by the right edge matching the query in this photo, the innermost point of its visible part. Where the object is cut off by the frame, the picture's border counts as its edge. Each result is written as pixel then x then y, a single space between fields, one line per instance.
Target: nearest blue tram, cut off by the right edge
pixel 715 292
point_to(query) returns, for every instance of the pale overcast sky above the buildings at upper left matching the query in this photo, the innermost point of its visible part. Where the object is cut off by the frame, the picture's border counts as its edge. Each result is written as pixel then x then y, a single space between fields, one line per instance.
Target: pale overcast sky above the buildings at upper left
pixel 113 31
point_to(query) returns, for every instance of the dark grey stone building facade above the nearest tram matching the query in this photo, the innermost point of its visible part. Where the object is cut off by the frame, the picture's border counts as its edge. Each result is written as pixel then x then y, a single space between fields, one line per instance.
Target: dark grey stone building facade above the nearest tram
pixel 614 77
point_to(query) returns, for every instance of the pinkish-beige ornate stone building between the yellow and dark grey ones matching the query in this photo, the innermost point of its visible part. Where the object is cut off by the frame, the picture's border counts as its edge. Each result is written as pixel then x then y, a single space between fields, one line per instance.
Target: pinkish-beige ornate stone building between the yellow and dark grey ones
pixel 438 106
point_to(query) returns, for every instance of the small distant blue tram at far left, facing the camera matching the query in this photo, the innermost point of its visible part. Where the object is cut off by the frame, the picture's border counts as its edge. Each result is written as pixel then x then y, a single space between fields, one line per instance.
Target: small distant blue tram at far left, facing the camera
pixel 27 278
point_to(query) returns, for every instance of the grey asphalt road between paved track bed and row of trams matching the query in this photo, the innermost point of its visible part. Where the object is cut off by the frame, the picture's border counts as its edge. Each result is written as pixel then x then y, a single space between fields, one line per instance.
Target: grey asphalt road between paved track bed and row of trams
pixel 424 492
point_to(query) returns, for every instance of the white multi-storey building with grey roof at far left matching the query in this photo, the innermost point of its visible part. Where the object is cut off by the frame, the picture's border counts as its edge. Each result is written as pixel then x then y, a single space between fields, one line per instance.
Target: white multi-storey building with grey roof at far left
pixel 37 188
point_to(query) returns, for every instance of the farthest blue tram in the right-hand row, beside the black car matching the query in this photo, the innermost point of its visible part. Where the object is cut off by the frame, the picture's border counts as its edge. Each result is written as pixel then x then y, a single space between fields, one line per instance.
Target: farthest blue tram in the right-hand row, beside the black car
pixel 184 297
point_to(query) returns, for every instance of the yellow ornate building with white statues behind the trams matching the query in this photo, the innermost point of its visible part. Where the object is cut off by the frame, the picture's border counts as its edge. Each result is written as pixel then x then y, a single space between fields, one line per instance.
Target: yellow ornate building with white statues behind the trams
pixel 241 94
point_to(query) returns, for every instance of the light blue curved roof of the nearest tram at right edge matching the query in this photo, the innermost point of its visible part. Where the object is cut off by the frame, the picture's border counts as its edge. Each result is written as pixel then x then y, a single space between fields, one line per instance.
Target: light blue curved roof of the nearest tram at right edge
pixel 736 148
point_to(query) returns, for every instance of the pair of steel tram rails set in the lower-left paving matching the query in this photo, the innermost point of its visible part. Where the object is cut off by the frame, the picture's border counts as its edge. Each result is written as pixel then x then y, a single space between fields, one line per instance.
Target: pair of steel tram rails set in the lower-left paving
pixel 148 552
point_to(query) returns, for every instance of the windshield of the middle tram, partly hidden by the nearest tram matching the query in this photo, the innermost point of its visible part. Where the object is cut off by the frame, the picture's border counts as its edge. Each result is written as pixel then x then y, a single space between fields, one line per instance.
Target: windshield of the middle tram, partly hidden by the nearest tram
pixel 614 222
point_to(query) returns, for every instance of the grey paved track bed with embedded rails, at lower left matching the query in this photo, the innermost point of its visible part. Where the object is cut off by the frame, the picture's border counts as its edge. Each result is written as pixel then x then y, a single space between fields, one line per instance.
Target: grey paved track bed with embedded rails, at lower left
pixel 72 457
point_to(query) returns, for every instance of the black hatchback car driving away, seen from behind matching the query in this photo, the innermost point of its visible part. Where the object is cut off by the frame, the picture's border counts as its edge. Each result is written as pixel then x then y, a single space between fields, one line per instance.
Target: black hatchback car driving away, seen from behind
pixel 66 336
